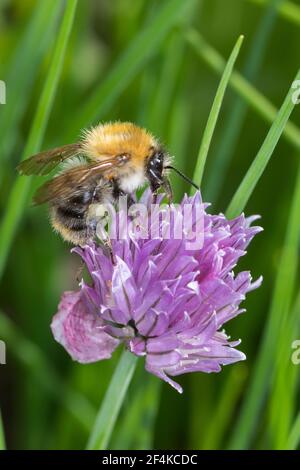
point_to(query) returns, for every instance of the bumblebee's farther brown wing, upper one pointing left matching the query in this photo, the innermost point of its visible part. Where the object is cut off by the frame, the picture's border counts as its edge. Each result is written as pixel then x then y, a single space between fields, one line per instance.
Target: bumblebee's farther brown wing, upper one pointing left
pixel 44 162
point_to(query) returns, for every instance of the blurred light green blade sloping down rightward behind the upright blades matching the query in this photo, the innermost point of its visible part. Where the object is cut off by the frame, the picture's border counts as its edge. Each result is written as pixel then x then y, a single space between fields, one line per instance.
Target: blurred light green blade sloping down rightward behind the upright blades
pixel 256 100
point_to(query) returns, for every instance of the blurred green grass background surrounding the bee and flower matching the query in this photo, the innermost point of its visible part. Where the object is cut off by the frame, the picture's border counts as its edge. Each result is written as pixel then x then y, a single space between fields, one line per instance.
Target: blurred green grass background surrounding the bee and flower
pixel 157 63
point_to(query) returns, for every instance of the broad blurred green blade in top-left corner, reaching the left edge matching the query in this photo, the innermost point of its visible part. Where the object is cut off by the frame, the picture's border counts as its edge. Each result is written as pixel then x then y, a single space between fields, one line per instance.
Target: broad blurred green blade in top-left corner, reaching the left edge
pixel 33 45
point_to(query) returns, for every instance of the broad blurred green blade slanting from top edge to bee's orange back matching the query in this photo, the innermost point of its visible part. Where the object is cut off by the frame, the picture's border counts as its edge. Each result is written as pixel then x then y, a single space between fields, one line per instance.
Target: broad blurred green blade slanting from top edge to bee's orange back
pixel 128 65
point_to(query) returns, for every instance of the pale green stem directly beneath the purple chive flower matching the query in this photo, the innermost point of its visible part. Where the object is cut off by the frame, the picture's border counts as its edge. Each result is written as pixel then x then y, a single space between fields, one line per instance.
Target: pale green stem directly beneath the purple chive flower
pixel 112 402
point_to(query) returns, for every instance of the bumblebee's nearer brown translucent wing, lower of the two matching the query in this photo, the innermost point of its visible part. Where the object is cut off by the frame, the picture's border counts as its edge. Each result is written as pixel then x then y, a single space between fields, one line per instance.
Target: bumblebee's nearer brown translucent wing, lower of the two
pixel 68 183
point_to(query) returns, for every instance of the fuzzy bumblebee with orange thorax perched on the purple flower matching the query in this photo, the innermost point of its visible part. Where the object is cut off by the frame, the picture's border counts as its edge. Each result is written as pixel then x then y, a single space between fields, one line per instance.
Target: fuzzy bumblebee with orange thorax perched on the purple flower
pixel 109 160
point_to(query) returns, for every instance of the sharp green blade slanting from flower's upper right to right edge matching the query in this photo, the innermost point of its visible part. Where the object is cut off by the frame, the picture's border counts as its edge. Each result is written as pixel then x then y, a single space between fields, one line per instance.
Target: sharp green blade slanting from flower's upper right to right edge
pixel 261 160
